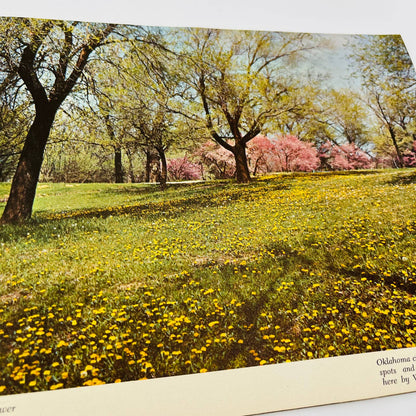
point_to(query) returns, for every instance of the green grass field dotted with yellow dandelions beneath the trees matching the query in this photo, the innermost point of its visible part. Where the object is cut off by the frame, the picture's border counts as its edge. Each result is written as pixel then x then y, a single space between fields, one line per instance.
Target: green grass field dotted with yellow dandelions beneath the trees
pixel 112 283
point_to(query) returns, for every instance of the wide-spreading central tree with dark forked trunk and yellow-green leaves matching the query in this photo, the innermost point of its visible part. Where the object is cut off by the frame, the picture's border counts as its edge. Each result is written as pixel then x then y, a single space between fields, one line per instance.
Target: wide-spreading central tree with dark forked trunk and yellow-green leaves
pixel 238 82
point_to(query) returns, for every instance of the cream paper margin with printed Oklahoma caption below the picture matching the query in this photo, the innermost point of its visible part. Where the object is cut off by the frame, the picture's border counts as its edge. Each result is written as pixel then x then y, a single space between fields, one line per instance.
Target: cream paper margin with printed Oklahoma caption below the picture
pixel 237 392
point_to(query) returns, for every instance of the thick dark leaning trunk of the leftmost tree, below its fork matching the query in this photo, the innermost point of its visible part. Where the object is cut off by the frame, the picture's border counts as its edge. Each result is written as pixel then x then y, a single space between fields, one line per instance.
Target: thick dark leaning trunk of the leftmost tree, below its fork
pixel 23 189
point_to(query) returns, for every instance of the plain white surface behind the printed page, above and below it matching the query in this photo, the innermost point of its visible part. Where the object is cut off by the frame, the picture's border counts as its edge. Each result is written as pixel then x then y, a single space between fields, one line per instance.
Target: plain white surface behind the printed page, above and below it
pixel 323 16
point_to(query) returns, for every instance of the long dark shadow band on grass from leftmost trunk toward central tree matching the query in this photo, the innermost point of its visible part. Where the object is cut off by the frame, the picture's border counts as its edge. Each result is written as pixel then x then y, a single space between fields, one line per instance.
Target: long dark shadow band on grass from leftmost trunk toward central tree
pixel 177 200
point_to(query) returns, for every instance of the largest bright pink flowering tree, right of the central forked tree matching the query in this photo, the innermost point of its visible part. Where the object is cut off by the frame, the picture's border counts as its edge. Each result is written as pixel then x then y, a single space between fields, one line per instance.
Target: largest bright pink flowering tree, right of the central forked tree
pixel 293 154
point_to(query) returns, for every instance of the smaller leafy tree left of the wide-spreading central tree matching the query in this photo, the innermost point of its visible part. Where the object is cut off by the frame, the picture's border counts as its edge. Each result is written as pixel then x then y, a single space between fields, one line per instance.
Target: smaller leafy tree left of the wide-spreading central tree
pixel 149 105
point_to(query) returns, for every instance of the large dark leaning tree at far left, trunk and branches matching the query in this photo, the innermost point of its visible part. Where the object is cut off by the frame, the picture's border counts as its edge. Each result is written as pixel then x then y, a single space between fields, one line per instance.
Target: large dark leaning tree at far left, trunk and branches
pixel 49 57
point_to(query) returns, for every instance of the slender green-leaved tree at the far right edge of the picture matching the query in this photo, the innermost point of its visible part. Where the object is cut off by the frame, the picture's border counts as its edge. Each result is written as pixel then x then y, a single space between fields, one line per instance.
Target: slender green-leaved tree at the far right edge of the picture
pixel 389 79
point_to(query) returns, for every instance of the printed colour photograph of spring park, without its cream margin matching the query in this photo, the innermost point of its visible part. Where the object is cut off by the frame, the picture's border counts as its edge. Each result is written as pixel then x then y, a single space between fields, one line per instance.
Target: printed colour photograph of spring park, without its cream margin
pixel 186 200
